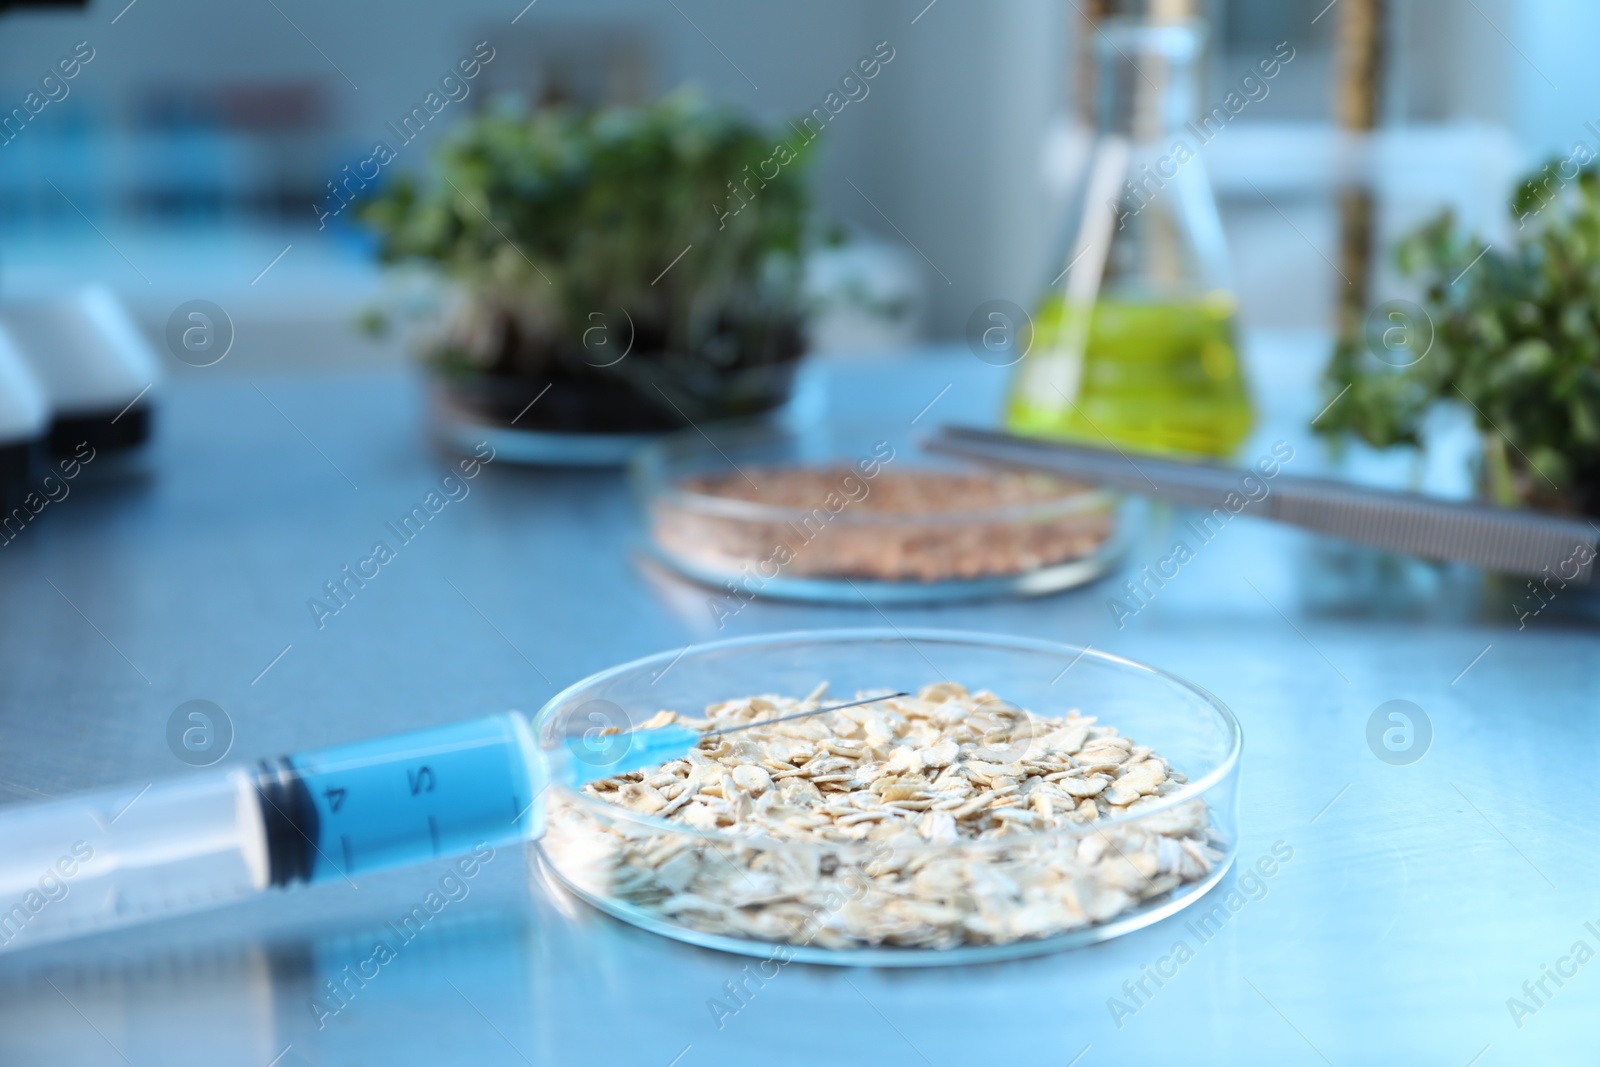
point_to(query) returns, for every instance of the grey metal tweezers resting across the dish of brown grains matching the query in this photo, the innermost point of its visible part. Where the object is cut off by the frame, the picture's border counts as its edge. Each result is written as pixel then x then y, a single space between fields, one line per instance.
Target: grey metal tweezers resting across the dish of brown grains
pixel 1513 541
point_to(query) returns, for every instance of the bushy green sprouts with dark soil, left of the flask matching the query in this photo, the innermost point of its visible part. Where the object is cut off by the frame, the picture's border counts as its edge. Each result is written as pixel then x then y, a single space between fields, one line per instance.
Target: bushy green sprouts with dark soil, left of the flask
pixel 625 271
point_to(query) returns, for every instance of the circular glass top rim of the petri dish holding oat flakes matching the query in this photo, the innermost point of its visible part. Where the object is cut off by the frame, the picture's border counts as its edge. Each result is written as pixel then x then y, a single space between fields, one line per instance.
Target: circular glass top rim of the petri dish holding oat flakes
pixel 1191 791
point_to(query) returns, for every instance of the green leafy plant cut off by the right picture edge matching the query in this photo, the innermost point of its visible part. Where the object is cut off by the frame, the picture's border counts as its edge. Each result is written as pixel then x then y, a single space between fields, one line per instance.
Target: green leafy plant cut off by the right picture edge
pixel 1516 338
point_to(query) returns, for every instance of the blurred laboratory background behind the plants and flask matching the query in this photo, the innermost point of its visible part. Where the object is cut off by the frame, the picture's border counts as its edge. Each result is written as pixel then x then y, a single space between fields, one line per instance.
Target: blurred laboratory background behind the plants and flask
pixel 198 143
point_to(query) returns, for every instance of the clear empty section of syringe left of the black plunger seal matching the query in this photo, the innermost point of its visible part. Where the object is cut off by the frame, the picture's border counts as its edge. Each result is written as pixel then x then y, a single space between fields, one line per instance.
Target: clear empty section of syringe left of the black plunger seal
pixel 106 860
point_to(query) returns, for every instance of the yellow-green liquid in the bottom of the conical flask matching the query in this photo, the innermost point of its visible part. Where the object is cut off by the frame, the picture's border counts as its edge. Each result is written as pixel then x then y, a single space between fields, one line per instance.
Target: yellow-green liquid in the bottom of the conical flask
pixel 1158 377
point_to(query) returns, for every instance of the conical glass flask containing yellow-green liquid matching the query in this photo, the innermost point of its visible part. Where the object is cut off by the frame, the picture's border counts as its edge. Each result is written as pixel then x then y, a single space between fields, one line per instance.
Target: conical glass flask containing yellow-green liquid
pixel 1135 343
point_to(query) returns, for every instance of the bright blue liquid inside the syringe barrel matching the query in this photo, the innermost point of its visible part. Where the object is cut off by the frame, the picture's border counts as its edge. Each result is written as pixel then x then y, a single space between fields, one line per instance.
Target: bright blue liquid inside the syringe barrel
pixel 406 799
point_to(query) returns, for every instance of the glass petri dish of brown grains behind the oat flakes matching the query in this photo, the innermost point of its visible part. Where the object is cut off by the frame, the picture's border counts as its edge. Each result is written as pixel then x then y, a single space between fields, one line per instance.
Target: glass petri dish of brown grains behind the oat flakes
pixel 841 513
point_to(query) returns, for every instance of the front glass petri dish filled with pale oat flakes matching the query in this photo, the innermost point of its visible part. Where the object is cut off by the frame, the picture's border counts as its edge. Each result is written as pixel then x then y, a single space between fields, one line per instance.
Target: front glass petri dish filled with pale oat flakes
pixel 1022 797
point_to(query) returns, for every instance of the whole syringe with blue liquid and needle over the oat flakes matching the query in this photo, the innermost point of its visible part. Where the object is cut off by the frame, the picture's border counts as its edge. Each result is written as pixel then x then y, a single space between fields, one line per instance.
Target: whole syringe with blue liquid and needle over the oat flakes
pixel 92 863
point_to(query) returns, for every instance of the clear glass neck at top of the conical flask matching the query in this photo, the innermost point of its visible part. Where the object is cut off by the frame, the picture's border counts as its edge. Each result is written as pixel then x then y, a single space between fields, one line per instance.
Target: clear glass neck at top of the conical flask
pixel 1146 78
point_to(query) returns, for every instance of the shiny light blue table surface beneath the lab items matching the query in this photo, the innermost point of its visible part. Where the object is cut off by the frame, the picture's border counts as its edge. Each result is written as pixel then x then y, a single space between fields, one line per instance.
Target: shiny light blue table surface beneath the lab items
pixel 1417 903
